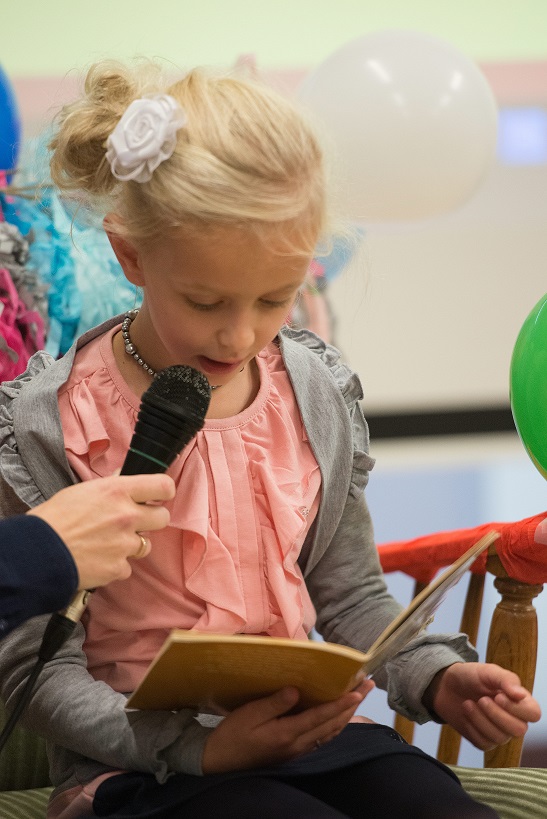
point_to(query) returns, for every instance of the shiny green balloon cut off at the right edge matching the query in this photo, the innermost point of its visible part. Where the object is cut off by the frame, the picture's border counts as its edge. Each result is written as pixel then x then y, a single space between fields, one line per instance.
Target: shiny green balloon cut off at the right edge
pixel 528 385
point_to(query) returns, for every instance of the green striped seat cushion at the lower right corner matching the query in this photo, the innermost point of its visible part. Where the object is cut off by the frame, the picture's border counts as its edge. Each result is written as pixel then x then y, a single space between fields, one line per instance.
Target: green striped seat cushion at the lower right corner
pixel 515 793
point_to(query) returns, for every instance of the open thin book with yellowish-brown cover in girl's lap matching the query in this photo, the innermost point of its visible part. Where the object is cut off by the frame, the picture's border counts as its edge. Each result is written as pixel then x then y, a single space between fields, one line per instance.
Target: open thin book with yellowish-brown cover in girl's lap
pixel 219 672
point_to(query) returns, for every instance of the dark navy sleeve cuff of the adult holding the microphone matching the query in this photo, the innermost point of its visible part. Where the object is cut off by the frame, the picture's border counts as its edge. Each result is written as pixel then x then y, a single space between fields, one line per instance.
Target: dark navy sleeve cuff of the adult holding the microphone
pixel 37 572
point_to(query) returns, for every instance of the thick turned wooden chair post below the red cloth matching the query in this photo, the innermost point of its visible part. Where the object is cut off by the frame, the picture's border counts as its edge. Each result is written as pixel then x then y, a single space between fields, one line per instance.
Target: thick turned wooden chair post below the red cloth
pixel 515 617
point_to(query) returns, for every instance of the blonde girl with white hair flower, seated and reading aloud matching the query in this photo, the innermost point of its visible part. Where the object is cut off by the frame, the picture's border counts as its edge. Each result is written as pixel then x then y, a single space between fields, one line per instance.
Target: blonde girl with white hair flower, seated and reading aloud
pixel 217 203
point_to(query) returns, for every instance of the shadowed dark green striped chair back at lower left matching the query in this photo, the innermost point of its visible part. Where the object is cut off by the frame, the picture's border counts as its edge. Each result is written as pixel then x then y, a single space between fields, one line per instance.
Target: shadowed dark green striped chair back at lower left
pixel 23 761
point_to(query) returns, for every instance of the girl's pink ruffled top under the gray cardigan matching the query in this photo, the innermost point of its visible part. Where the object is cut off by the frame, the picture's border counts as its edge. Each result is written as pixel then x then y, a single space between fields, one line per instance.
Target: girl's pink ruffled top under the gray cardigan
pixel 248 488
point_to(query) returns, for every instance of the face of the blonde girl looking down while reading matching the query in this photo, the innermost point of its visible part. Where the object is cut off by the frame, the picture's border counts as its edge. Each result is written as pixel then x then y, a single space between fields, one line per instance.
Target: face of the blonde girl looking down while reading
pixel 211 301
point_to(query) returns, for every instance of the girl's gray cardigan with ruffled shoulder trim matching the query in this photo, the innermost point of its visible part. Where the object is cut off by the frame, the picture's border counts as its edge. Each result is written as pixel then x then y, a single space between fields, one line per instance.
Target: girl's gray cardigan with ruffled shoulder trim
pixel 87 728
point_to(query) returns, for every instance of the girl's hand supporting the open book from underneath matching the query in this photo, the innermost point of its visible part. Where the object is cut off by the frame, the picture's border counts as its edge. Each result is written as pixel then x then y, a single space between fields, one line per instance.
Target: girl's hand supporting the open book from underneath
pixel 261 732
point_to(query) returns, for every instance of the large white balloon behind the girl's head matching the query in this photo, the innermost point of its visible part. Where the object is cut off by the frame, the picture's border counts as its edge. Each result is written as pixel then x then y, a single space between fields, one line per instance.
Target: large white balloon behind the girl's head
pixel 413 123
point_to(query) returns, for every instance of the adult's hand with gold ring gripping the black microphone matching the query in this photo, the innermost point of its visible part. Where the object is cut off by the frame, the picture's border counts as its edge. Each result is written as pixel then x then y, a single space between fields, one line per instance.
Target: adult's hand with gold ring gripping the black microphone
pixel 99 520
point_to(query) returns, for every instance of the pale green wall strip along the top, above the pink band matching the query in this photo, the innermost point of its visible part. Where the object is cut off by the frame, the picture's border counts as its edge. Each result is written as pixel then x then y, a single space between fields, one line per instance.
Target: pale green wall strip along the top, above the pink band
pixel 42 37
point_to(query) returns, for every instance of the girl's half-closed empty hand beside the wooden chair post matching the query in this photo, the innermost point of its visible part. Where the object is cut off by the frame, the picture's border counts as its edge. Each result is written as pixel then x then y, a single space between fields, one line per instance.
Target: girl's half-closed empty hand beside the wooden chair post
pixel 483 702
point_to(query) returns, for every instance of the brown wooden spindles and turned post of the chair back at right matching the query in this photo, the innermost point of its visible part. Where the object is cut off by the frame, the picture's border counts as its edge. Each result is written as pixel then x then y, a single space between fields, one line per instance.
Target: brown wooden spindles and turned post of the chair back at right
pixel 512 644
